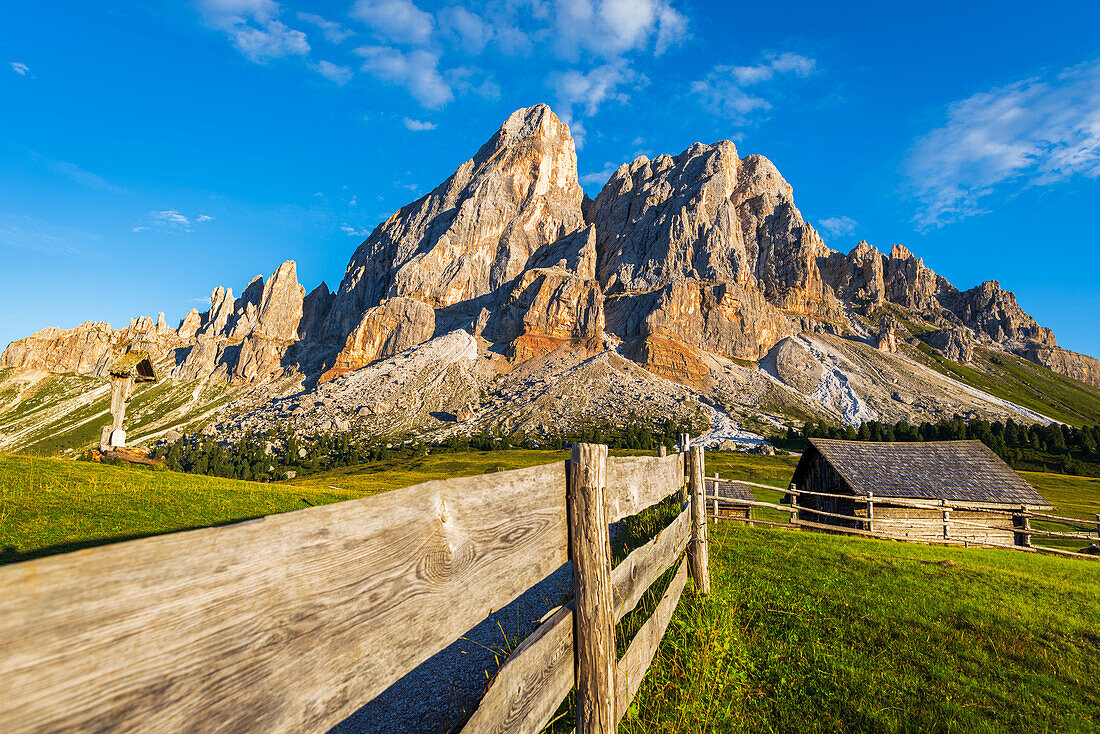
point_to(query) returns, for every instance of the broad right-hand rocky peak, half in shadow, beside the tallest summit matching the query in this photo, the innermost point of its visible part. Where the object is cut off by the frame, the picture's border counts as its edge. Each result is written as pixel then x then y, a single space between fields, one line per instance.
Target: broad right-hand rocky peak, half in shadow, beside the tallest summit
pixel 709 249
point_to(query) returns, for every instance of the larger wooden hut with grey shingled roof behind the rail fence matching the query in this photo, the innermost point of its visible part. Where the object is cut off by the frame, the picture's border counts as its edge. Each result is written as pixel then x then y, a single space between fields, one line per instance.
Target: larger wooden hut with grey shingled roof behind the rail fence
pixel 927 491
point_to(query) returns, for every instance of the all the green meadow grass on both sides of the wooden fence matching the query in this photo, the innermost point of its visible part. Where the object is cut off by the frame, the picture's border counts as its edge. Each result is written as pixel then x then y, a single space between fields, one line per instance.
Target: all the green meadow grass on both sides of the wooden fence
pixel 804 632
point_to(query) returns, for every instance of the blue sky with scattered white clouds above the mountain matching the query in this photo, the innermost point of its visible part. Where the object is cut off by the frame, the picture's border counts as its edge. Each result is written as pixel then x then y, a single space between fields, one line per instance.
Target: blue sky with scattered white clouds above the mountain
pixel 153 151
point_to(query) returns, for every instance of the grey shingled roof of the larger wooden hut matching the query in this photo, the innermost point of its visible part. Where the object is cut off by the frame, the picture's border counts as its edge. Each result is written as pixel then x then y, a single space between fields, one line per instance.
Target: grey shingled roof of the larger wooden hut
pixel 965 472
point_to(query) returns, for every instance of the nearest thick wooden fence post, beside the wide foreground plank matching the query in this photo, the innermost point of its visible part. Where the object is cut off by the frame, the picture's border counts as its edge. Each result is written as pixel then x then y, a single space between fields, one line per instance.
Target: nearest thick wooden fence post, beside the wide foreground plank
pixel 595 614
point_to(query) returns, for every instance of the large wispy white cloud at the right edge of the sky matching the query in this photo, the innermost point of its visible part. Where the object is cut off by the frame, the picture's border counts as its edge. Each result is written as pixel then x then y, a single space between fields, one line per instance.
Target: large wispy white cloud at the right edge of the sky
pixel 1035 133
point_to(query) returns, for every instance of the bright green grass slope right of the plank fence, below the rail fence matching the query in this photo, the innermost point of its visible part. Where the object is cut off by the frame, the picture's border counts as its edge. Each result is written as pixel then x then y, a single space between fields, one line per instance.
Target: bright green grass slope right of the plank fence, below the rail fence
pixel 815 633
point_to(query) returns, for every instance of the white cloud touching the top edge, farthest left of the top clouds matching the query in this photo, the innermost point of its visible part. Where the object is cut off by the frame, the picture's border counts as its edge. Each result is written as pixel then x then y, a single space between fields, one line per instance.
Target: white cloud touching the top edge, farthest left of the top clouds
pixel 254 28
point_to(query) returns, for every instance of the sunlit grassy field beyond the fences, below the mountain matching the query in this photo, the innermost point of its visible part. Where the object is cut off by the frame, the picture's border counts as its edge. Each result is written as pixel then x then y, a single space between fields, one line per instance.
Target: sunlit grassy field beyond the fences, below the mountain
pixel 56 506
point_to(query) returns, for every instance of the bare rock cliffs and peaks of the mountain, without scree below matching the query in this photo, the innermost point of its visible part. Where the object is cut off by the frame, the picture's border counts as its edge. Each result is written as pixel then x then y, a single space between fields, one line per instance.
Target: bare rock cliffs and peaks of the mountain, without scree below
pixel 678 257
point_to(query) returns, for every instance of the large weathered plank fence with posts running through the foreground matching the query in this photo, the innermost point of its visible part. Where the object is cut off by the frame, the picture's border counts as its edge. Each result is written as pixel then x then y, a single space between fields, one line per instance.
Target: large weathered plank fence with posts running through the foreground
pixel 291 623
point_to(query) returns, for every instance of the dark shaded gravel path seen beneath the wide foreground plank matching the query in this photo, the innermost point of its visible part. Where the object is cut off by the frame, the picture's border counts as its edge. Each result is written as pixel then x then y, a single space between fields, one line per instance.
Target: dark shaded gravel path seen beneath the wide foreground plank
pixel 443 689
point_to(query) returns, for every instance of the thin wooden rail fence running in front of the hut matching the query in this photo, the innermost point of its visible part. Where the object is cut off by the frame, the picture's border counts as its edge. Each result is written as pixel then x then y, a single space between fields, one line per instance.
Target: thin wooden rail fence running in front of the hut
pixel 952 517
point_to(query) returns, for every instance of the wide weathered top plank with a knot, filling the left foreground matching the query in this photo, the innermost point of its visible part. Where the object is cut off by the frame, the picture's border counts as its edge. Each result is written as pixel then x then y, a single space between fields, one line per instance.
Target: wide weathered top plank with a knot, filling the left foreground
pixel 284 625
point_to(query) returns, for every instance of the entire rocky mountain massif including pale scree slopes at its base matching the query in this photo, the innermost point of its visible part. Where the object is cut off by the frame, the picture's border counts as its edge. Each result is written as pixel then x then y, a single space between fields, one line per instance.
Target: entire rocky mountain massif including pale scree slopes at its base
pixel 697 268
